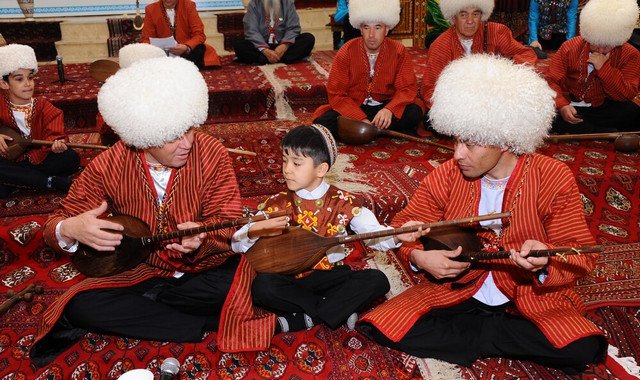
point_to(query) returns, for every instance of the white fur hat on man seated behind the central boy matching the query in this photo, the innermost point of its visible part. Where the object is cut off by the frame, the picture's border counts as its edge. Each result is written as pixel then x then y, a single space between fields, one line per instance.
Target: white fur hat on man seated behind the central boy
pixel 365 11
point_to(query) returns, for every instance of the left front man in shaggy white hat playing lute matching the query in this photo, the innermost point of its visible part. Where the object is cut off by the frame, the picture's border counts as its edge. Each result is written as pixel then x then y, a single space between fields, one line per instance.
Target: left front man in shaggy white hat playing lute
pixel 171 177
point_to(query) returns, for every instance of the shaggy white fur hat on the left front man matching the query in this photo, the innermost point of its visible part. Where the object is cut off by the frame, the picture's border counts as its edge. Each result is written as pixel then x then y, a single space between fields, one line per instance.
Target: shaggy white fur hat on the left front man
pixel 154 101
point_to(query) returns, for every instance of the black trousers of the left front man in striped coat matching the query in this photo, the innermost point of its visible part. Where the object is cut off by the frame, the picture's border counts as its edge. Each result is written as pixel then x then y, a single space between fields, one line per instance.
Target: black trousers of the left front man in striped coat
pixel 163 309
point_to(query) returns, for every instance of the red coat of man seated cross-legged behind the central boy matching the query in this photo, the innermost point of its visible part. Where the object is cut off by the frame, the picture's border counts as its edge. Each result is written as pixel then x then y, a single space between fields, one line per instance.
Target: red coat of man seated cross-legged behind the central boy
pixel 394 79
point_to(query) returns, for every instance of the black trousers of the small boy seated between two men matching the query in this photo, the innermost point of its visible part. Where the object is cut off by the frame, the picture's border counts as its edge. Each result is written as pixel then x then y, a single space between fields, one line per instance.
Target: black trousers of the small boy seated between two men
pixel 326 296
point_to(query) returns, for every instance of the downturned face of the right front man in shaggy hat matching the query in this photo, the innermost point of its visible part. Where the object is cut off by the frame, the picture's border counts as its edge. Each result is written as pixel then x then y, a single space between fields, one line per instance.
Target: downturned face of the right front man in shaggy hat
pixel 475 161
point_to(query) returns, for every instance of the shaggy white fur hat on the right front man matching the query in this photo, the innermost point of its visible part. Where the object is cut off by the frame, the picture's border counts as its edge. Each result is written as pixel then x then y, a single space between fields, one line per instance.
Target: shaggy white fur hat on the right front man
pixel 491 101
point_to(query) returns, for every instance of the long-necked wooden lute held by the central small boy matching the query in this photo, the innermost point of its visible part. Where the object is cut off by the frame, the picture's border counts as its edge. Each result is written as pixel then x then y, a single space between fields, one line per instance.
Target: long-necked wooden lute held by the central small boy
pixel 297 249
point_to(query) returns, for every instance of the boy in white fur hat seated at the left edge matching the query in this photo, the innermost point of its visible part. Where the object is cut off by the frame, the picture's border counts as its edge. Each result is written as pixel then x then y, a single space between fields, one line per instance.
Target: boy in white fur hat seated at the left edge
pixel 34 118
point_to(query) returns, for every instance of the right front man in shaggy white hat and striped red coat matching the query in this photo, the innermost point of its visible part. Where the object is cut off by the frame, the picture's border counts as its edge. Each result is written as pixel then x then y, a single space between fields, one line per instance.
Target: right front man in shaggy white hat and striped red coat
pixel 519 307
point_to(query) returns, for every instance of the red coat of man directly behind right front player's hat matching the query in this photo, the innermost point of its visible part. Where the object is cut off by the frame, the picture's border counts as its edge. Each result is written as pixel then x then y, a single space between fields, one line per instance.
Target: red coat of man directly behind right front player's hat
pixel 447 47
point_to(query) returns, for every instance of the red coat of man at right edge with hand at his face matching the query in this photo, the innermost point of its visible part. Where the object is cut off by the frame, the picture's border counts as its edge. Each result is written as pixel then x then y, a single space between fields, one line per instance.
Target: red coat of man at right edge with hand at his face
pixel 618 79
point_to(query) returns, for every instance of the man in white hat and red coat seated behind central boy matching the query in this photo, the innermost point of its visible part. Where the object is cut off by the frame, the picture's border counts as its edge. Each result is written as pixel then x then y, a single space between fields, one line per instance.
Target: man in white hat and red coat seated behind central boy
pixel 372 77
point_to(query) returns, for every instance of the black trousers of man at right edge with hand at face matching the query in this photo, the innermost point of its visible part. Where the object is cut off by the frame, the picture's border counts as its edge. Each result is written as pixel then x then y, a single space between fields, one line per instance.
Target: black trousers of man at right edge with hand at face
pixel 609 117
